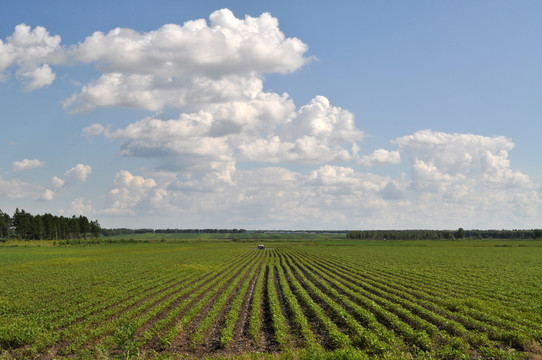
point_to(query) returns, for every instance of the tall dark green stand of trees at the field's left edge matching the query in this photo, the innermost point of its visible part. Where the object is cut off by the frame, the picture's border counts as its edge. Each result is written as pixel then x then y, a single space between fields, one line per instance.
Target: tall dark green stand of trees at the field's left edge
pixel 25 226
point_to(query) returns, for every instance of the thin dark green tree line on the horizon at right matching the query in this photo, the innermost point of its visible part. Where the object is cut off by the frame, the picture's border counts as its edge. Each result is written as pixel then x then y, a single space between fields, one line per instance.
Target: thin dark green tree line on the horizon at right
pixel 444 234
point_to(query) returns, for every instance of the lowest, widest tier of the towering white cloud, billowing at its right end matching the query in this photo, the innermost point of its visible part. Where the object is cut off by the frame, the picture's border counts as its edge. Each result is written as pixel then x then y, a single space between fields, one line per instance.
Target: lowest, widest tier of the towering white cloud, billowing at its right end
pixel 224 134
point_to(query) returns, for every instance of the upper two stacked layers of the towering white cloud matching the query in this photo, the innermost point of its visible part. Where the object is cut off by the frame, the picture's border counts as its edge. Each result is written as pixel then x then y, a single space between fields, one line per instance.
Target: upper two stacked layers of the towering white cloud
pixel 185 66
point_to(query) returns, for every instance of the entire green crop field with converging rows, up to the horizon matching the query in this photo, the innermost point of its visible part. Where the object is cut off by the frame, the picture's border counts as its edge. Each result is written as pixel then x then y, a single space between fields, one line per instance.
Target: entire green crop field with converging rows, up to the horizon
pixel 478 299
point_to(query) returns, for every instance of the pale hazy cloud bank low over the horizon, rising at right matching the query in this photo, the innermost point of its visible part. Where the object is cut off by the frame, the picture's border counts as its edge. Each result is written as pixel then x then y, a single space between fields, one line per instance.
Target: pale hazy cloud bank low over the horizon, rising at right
pixel 456 180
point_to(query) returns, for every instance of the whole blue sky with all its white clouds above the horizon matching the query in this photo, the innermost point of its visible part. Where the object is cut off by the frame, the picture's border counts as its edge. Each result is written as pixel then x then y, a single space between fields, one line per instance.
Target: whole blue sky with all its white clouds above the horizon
pixel 273 115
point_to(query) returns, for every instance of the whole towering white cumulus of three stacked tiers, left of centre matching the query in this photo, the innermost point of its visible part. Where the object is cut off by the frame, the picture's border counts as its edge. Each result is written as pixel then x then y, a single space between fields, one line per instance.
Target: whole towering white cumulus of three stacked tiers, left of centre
pixel 212 73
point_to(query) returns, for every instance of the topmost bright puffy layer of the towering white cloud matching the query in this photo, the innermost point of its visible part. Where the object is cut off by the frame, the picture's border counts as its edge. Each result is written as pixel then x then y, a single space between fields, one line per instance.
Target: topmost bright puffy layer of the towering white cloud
pixel 227 45
